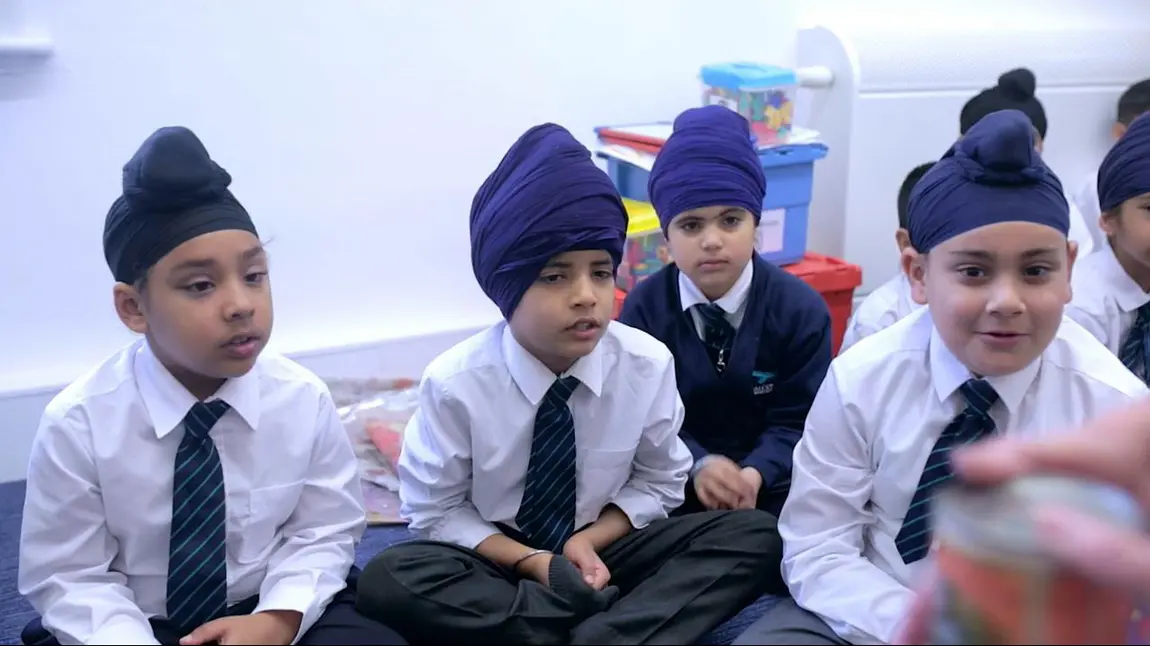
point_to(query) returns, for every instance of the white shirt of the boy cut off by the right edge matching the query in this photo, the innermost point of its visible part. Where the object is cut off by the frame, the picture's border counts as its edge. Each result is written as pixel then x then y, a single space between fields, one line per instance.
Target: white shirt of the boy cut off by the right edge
pixel 1106 298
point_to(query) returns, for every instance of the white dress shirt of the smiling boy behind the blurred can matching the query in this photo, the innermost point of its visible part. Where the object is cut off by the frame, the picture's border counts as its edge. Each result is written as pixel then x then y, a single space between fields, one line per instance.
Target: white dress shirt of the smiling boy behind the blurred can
pixel 868 439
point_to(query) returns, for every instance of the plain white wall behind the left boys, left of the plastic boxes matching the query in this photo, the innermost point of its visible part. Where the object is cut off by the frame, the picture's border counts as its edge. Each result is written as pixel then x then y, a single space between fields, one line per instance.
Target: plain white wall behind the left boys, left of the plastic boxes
pixel 357 133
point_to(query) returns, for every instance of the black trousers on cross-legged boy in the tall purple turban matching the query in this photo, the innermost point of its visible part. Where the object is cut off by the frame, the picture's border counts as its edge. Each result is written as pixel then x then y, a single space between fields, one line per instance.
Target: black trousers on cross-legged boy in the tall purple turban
pixel 678 580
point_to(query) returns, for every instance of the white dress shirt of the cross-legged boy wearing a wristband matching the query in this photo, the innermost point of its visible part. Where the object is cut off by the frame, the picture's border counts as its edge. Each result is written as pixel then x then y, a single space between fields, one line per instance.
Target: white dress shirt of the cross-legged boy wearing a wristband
pixel 466 450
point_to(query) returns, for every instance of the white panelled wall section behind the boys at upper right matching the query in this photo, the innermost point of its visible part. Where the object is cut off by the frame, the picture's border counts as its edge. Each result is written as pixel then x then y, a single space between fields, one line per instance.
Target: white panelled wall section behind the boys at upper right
pixel 902 79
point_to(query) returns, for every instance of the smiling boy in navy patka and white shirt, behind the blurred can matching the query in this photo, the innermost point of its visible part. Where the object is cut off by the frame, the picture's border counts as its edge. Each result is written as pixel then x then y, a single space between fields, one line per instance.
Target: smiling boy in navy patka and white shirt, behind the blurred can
pixel 991 353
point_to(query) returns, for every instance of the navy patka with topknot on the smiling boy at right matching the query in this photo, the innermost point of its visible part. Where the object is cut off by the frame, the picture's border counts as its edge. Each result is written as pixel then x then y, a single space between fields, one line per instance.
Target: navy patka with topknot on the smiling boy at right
pixel 992 175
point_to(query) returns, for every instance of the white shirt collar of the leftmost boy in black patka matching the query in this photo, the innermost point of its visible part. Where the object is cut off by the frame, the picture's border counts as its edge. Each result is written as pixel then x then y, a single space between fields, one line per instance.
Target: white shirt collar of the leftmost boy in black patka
pixel 168 402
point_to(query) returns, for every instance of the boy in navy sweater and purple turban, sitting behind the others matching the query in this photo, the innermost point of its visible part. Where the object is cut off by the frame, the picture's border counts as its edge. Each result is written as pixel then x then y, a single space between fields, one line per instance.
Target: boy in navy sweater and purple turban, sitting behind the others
pixel 752 342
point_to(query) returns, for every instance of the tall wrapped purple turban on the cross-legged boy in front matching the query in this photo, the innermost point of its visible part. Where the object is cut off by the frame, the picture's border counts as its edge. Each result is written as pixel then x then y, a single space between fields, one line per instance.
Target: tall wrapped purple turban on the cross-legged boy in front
pixel 546 198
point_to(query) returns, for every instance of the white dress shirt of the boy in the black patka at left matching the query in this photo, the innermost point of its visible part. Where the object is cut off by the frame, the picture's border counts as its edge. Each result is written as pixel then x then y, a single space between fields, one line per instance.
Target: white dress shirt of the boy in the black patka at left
pixel 94 557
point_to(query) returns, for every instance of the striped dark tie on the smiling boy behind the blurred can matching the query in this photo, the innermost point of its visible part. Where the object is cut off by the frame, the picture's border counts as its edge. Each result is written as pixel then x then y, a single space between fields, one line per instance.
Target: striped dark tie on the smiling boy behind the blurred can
pixel 972 425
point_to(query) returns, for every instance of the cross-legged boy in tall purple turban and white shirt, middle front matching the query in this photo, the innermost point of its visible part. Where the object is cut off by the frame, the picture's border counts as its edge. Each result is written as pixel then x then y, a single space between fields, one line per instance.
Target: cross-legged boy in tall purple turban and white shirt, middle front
pixel 545 457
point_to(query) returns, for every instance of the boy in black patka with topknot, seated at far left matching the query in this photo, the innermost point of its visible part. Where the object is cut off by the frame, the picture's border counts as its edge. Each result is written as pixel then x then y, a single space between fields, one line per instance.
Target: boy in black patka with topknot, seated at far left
pixel 193 489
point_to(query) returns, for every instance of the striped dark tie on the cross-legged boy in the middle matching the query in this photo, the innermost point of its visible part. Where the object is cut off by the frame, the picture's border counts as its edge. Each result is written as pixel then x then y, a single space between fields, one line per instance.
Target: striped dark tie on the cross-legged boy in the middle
pixel 547 516
